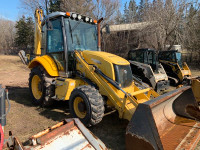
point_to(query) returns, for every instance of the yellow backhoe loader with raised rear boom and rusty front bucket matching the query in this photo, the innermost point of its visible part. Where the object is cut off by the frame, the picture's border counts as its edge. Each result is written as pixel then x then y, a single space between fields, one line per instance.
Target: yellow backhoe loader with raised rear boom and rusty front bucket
pixel 68 65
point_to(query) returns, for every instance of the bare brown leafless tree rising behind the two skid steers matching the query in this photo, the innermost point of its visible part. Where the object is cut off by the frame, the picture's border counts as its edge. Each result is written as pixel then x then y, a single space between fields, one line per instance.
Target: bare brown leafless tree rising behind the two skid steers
pixel 165 18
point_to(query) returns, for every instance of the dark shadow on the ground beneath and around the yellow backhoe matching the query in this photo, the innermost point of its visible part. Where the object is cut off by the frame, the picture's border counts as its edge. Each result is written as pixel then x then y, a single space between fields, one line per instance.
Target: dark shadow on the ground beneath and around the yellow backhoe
pixel 111 126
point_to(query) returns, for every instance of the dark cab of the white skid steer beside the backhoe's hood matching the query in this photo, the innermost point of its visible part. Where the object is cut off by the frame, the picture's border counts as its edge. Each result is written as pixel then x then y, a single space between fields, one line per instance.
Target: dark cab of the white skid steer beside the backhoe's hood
pixel 146 56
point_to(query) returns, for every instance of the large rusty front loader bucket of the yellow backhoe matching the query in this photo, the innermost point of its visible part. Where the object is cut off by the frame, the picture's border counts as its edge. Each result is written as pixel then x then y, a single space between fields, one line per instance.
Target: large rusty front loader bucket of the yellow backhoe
pixel 166 122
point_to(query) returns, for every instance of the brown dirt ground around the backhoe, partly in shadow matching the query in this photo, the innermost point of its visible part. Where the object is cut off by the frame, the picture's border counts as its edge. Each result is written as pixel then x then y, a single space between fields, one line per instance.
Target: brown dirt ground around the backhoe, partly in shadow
pixel 25 119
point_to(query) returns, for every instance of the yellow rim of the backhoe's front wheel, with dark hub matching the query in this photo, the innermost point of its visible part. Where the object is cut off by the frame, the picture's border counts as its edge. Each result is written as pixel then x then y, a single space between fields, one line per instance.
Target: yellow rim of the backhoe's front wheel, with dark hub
pixel 79 107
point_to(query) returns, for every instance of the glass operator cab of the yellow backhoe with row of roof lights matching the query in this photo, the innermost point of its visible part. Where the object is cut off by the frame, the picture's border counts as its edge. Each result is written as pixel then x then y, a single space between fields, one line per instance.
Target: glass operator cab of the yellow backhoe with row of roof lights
pixel 62 33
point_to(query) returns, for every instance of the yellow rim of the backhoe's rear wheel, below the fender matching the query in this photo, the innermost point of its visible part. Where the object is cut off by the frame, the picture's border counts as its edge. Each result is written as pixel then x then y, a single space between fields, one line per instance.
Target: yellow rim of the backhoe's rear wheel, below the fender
pixel 36 87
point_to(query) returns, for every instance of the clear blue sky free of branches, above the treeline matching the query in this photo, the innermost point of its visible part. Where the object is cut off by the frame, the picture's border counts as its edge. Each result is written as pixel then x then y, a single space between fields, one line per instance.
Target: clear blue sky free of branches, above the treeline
pixel 10 9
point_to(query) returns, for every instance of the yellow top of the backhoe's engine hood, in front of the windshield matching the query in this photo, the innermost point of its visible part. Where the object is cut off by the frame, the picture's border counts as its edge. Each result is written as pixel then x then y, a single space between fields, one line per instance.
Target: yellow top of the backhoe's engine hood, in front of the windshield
pixel 97 56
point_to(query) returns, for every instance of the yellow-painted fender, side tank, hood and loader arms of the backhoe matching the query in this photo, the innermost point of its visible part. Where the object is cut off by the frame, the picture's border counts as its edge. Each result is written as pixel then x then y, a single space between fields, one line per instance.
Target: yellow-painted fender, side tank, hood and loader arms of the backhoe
pixel 104 61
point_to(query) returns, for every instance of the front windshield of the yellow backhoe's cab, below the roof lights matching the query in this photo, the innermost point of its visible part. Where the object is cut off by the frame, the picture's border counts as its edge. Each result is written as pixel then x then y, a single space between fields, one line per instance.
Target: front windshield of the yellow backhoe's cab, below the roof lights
pixel 81 35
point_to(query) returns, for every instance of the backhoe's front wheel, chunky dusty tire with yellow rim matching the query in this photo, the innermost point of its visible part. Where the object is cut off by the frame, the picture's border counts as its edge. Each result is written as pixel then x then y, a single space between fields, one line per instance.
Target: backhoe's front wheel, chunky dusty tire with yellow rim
pixel 87 104
